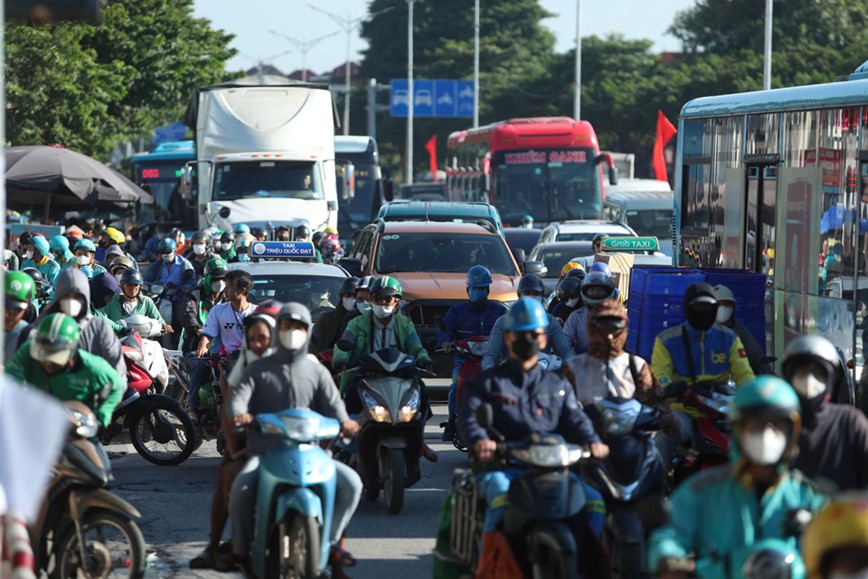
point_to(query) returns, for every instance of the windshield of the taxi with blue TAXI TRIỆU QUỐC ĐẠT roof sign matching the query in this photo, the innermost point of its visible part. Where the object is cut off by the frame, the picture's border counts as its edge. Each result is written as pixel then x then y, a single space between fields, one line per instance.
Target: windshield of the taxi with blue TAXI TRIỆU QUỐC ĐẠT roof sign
pixel 318 293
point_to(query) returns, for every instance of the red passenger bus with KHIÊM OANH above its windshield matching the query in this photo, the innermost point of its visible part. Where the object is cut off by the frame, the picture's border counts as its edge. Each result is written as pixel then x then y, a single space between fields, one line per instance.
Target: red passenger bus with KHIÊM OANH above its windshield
pixel 547 167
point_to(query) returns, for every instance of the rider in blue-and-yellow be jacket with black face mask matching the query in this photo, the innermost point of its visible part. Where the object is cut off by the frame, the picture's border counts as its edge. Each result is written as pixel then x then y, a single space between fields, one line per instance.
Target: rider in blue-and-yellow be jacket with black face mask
pixel 694 352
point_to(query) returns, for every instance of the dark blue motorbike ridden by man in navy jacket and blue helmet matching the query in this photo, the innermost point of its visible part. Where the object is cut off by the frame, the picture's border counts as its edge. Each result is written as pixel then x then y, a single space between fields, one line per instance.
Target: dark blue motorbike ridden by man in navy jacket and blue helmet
pixel 541 501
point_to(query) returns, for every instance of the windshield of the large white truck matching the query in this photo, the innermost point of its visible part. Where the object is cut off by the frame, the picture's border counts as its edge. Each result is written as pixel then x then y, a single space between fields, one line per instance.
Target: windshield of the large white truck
pixel 264 179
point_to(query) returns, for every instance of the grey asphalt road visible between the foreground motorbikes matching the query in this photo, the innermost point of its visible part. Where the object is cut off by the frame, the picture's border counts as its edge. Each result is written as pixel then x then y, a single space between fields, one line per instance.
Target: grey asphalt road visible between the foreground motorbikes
pixel 175 506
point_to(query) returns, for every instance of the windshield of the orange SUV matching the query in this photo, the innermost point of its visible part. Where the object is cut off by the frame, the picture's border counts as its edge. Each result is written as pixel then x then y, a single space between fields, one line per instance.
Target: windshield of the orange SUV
pixel 443 252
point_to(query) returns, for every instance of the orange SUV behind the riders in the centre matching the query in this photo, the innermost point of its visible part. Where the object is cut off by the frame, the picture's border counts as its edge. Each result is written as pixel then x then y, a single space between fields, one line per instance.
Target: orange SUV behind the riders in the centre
pixel 430 260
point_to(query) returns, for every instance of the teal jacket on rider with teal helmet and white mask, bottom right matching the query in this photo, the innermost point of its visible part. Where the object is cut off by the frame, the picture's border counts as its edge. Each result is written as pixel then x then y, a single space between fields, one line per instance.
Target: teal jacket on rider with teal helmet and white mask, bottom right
pixel 714 512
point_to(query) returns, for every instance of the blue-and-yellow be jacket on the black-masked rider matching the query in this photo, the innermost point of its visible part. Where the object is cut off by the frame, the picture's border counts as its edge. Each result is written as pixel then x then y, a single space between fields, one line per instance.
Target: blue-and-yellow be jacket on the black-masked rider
pixel 717 354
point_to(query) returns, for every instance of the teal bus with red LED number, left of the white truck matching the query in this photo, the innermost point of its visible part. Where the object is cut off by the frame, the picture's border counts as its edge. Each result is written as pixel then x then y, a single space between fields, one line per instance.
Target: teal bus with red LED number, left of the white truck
pixel 159 172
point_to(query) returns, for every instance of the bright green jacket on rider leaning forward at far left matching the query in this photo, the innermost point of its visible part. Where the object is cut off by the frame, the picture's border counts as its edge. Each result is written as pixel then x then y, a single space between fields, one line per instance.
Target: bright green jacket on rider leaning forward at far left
pixel 91 380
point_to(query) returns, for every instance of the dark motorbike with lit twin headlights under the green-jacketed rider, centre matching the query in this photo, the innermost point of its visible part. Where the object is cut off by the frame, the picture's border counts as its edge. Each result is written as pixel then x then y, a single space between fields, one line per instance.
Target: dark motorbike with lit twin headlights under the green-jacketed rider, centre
pixel 391 426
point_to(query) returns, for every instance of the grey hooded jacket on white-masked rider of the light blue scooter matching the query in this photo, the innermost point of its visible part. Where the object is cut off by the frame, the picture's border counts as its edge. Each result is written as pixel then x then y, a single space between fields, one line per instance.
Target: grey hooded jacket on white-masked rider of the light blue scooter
pixel 286 379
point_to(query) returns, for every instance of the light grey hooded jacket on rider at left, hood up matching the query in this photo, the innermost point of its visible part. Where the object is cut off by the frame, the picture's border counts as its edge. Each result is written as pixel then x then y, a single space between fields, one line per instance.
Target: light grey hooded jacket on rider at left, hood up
pixel 97 334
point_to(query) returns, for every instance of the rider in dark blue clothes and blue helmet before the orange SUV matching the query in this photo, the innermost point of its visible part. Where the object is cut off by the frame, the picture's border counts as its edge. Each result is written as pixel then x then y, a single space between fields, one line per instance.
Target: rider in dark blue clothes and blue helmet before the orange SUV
pixel 475 317
